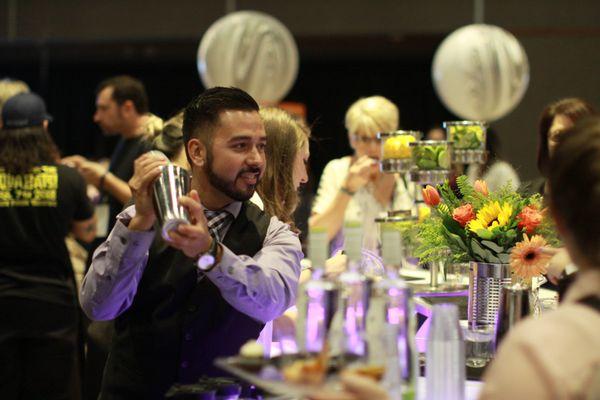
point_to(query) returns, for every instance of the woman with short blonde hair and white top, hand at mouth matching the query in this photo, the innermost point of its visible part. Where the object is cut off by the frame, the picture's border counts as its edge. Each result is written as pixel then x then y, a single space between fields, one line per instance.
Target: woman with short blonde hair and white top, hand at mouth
pixel 352 188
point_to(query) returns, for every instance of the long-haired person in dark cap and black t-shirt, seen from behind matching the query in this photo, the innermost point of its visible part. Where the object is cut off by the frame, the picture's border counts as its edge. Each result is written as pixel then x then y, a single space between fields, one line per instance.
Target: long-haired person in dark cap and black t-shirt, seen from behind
pixel 40 203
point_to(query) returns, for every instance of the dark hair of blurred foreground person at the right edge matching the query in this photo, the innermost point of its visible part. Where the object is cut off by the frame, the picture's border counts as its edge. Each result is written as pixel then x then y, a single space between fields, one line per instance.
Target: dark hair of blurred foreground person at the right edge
pixel 574 178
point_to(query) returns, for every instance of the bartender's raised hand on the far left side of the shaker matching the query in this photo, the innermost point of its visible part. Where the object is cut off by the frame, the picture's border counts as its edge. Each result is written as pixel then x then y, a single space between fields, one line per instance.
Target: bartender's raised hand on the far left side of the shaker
pixel 145 170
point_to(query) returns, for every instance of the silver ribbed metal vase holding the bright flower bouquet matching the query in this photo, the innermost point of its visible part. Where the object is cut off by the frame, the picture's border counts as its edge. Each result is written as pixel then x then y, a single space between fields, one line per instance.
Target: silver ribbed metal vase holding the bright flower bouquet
pixel 485 284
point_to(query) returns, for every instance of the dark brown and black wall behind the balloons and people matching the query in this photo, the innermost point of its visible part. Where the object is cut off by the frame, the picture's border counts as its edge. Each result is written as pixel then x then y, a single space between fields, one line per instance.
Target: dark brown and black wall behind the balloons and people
pixel 348 49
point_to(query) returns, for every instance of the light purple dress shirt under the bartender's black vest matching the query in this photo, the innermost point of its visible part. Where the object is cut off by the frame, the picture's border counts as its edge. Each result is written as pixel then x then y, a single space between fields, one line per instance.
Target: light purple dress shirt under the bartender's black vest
pixel 263 286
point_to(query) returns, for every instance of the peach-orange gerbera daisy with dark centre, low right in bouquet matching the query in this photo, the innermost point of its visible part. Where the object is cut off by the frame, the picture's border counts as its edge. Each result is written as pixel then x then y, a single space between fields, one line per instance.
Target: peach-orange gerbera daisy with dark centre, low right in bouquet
pixel 527 259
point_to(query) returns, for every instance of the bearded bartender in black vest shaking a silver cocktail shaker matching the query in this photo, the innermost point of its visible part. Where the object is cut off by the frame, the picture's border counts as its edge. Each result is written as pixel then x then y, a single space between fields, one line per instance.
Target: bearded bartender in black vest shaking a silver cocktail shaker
pixel 208 285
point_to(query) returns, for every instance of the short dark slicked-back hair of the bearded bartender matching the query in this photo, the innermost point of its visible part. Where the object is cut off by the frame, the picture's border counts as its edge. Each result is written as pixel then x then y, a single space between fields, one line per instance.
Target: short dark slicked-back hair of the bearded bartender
pixel 201 115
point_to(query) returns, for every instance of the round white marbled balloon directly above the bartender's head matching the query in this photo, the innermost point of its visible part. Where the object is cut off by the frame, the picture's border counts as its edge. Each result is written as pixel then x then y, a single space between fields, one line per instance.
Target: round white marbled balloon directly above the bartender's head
pixel 252 51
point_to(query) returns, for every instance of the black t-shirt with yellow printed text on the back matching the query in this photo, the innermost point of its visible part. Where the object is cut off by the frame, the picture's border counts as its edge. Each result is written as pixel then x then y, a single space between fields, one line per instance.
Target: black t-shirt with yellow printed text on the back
pixel 36 211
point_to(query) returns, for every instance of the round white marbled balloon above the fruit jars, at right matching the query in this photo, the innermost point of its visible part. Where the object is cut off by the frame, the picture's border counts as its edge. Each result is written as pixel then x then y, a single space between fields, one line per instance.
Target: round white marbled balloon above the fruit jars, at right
pixel 480 72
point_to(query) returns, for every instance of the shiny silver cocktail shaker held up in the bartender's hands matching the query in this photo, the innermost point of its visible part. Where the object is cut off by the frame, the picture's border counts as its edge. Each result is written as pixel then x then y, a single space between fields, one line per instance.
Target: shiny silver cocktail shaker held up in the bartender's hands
pixel 172 183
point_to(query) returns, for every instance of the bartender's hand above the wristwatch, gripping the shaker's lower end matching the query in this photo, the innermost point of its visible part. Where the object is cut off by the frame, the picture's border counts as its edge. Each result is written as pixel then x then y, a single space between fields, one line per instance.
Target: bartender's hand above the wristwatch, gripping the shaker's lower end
pixel 192 239
